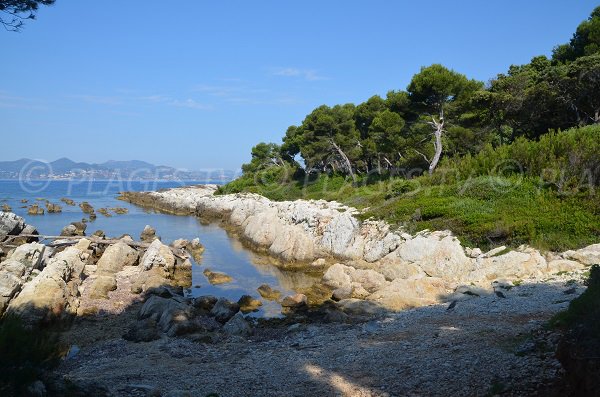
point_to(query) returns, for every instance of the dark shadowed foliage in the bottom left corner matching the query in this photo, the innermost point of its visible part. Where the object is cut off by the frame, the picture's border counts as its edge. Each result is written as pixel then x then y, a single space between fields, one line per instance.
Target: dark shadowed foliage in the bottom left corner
pixel 24 355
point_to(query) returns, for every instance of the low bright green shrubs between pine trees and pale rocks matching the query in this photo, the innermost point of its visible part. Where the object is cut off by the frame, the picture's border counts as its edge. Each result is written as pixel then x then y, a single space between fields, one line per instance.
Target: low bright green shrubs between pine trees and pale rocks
pixel 528 192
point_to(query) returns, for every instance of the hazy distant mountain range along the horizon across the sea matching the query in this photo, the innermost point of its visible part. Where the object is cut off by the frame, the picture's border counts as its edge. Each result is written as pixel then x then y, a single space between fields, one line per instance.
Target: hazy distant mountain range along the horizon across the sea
pixel 65 168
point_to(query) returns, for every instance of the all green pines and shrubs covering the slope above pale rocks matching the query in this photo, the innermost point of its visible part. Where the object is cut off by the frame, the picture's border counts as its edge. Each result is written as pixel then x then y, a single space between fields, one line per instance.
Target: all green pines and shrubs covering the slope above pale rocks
pixel 514 161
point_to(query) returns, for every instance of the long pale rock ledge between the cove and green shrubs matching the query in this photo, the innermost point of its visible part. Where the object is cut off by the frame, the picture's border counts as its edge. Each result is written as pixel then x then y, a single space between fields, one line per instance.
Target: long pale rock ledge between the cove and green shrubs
pixel 365 260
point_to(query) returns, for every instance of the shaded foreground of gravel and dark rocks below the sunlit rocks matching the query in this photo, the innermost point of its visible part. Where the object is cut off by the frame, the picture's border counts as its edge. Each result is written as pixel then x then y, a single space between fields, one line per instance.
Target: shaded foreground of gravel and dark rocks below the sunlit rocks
pixel 170 345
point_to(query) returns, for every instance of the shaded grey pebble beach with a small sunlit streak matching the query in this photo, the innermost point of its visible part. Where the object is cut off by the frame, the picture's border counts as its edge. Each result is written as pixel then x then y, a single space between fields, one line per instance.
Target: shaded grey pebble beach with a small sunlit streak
pixel 483 346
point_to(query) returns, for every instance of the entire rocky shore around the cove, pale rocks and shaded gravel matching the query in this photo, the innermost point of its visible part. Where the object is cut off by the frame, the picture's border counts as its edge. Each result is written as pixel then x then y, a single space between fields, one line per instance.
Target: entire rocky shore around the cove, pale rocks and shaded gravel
pixel 394 314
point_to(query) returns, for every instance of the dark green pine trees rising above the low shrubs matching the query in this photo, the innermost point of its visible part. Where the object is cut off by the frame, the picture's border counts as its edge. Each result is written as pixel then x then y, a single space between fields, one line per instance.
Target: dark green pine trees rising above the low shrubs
pixel 443 113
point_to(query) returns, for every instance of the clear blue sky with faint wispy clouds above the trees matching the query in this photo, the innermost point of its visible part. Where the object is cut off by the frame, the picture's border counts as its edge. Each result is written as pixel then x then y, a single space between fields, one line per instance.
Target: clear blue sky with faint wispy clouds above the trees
pixel 197 85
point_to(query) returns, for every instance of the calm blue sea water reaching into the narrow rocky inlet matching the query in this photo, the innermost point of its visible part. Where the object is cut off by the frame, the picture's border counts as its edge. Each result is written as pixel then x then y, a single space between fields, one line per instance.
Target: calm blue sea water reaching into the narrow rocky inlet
pixel 223 252
